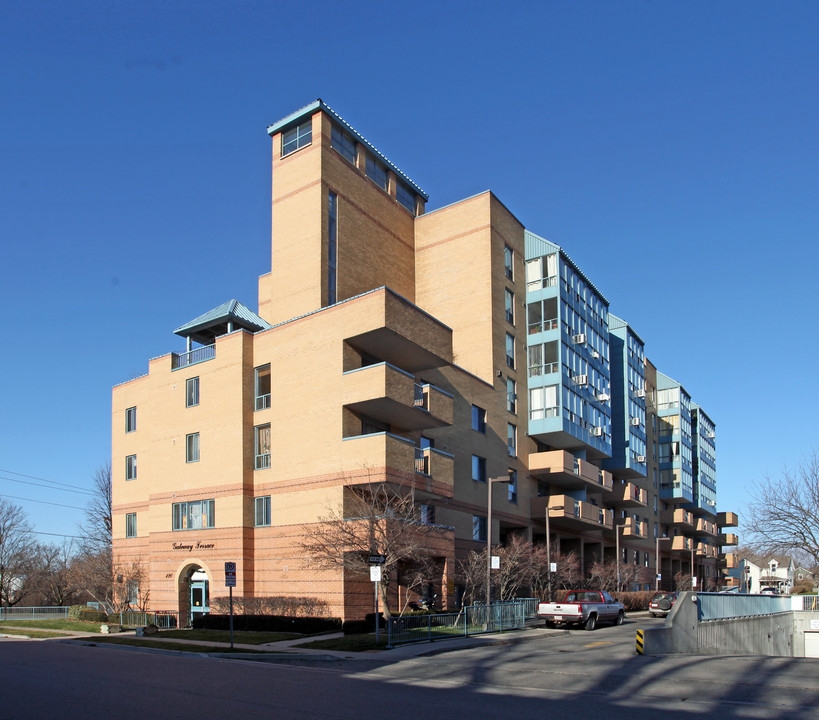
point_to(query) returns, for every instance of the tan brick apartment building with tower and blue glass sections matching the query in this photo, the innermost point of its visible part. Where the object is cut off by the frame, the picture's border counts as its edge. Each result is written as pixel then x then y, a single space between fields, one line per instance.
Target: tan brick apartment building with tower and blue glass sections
pixel 430 350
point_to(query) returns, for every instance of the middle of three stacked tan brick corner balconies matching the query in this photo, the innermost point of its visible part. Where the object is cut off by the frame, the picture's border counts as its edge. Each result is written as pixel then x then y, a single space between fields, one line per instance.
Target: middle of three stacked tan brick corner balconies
pixel 387 393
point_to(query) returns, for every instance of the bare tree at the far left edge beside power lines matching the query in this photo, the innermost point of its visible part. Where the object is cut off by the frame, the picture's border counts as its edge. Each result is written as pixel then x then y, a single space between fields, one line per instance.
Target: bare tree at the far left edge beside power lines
pixel 17 553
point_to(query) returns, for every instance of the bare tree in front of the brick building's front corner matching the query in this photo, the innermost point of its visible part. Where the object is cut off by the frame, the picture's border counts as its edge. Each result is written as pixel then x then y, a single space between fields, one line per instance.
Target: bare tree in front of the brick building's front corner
pixel 376 519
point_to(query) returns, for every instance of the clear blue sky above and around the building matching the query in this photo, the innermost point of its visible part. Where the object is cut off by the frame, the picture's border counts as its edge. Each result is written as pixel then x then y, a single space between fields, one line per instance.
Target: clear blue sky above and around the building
pixel 670 148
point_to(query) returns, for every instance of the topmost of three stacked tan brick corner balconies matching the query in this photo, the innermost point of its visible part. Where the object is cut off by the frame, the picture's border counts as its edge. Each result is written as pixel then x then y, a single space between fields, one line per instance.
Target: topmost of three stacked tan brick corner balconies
pixel 384 325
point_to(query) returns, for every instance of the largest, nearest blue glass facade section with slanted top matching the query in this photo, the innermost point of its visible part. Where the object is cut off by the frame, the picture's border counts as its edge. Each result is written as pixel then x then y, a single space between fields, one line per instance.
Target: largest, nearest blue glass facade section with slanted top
pixel 567 347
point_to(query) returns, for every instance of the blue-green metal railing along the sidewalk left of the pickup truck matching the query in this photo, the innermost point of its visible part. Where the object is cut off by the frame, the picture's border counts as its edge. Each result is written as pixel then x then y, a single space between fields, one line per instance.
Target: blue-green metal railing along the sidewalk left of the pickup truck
pixel 471 620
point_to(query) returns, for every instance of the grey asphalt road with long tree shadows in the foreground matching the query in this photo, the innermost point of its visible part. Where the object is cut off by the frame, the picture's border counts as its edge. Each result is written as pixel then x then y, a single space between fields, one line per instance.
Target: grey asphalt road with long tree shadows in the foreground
pixel 553 675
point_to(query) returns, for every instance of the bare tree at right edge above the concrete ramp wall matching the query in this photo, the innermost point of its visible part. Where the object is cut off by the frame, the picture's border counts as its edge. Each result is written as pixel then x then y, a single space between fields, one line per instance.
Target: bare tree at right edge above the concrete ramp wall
pixel 783 515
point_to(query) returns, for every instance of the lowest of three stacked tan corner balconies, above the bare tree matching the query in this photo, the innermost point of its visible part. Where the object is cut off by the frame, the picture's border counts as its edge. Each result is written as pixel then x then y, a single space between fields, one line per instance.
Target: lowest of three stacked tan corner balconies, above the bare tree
pixel 367 457
